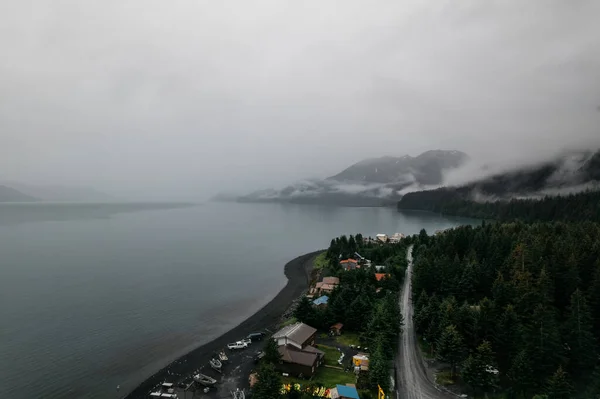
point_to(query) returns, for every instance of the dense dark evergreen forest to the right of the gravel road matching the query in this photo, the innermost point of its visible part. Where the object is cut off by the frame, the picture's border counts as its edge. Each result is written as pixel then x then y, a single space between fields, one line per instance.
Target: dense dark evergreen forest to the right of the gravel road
pixel 520 299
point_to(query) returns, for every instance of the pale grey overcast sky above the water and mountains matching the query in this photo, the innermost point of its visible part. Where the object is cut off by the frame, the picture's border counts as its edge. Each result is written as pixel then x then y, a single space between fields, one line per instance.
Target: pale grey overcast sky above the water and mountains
pixel 139 97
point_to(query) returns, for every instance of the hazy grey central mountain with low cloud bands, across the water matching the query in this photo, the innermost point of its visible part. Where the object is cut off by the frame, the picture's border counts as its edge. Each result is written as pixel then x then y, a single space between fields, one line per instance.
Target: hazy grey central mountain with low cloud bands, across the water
pixel 371 182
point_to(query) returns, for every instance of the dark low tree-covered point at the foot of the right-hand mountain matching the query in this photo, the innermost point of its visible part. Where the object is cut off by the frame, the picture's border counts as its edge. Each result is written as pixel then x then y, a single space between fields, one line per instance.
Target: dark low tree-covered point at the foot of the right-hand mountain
pixel 583 206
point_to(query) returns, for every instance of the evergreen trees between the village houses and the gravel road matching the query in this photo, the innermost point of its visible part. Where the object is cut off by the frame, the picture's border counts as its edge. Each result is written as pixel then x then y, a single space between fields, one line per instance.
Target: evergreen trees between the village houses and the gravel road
pixel 363 304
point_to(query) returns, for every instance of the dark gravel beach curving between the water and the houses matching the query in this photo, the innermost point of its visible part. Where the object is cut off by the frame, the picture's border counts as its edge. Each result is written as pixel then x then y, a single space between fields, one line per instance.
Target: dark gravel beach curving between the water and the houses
pixel 268 317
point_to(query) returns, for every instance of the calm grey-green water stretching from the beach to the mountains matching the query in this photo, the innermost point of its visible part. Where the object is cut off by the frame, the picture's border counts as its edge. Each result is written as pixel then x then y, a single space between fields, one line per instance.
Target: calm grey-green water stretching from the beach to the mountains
pixel 95 296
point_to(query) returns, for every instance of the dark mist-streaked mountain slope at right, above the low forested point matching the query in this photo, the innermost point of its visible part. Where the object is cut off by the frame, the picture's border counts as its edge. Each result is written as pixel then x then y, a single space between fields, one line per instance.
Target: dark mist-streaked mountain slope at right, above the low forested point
pixel 572 172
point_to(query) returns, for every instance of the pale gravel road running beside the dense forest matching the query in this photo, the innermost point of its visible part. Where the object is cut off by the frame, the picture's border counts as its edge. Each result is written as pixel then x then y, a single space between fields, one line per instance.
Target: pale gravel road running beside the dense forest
pixel 412 378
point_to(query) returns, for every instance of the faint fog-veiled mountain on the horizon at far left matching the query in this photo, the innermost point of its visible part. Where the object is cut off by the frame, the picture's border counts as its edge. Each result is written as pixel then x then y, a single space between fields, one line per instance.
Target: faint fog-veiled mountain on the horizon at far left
pixel 57 193
